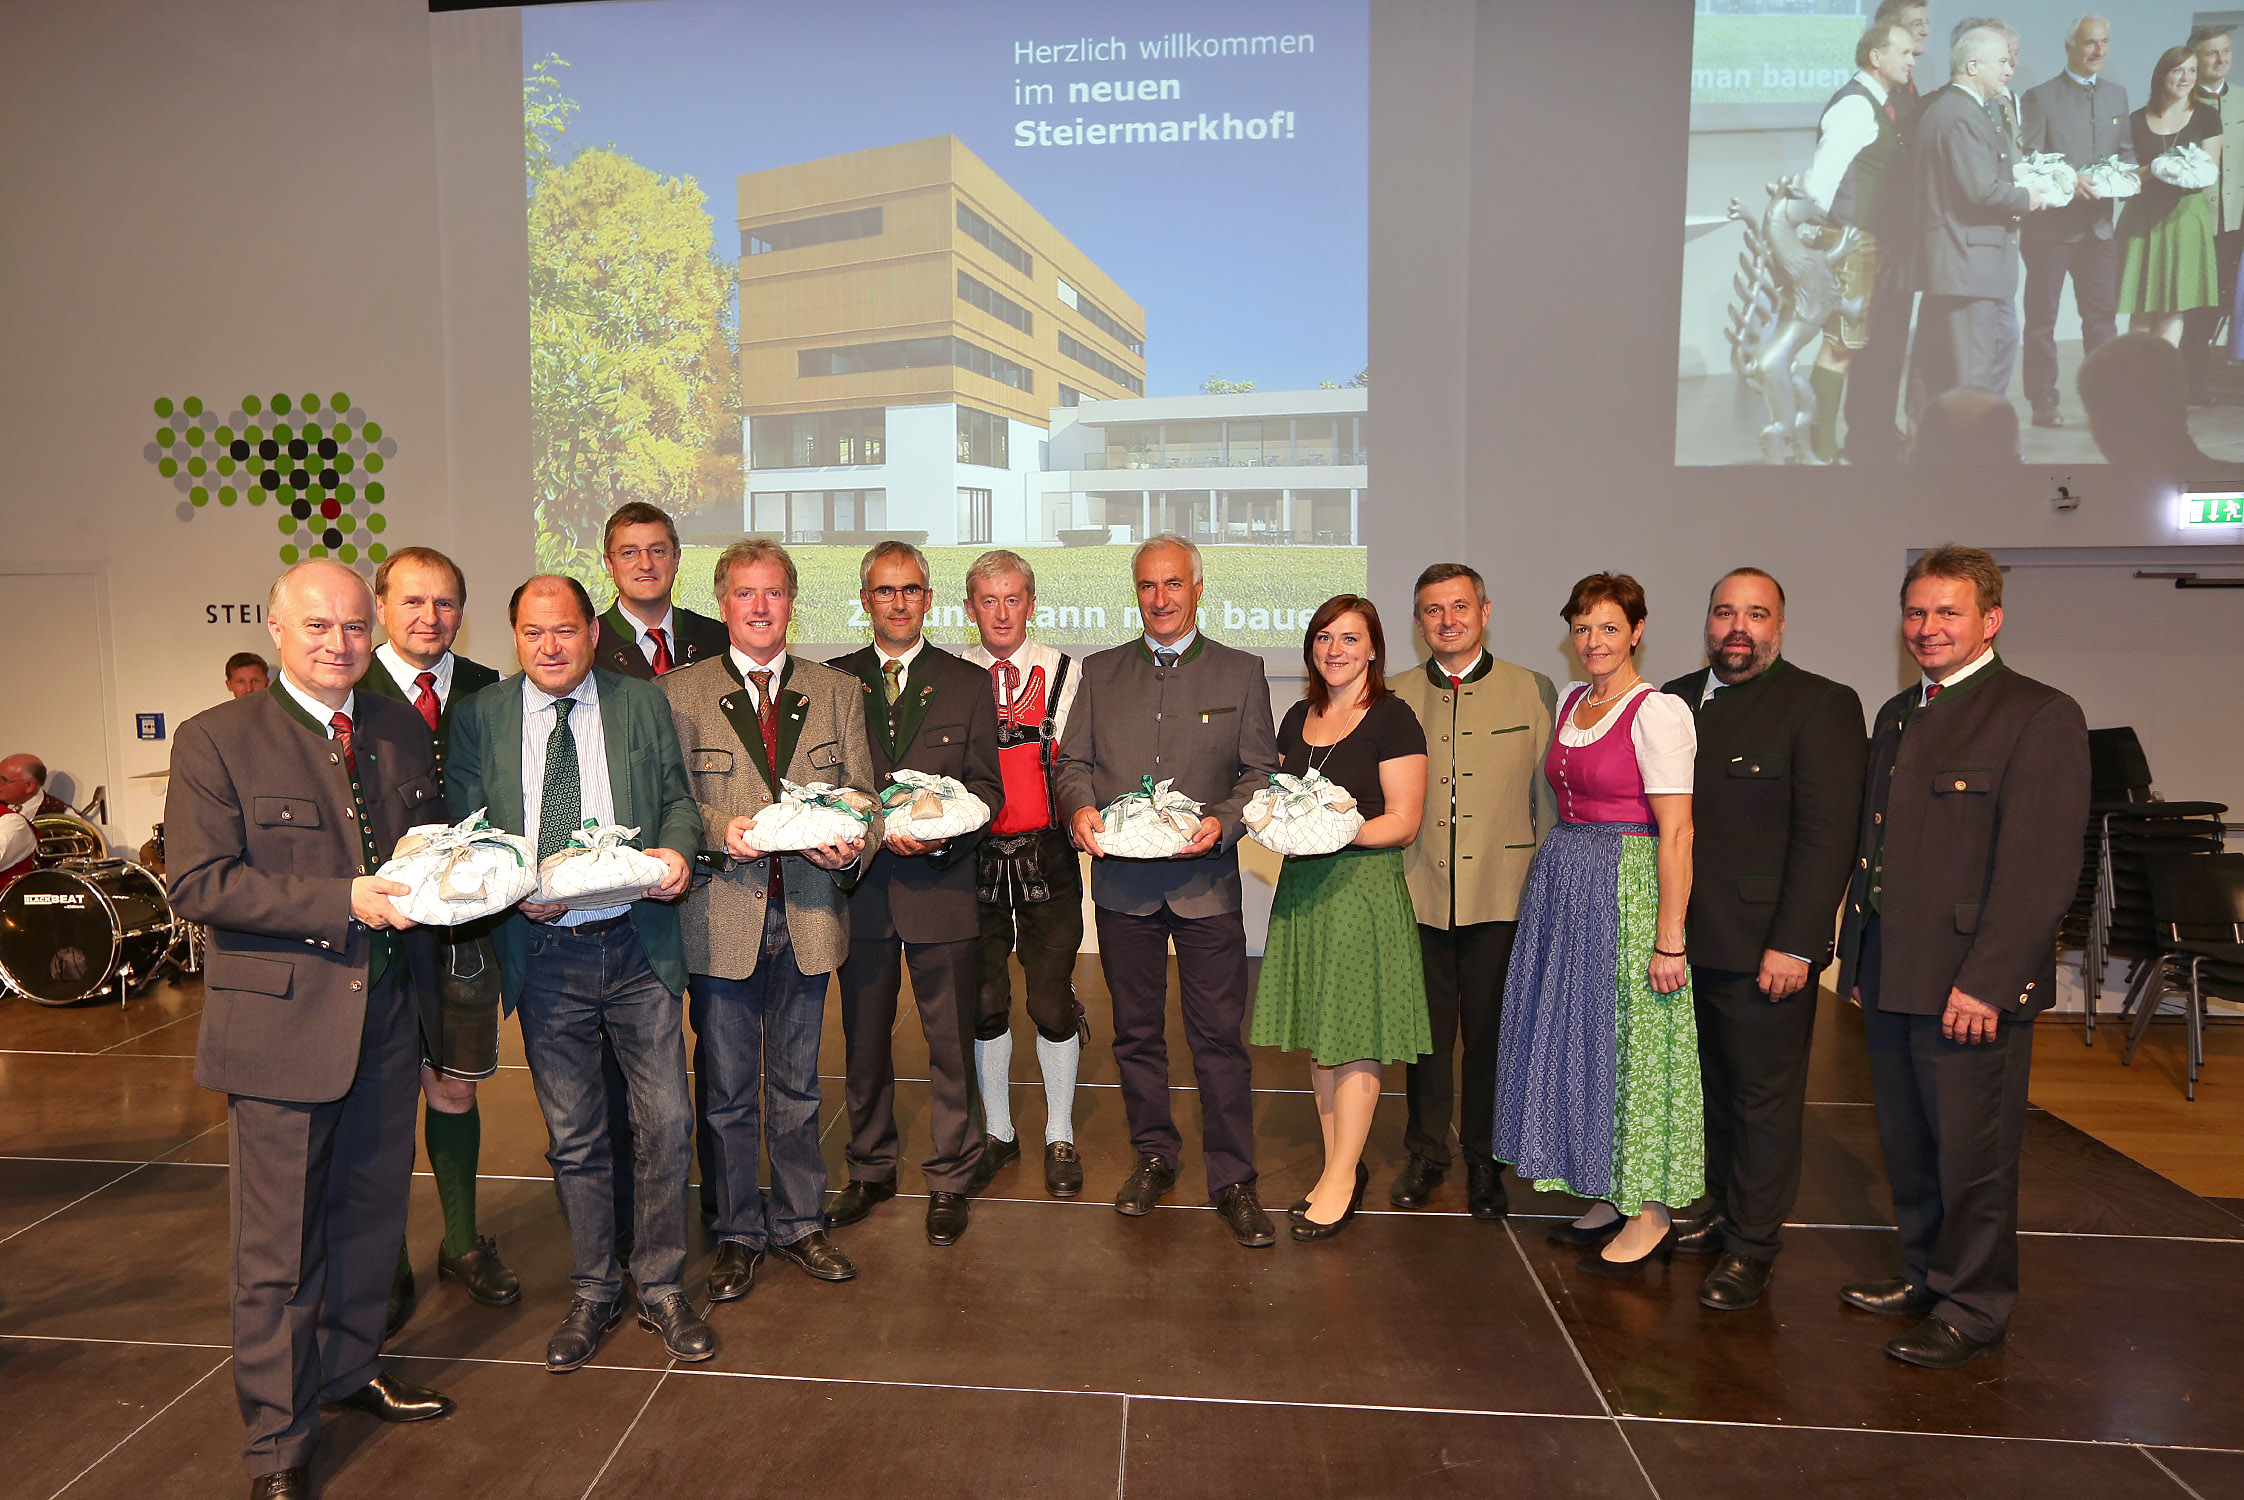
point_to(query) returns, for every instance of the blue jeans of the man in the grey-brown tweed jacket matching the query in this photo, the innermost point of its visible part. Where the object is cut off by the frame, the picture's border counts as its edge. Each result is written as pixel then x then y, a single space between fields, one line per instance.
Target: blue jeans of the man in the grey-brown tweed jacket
pixel 760 1050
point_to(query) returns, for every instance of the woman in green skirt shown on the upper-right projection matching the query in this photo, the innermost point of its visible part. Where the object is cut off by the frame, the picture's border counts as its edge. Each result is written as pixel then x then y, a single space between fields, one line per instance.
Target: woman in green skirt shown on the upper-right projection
pixel 2167 232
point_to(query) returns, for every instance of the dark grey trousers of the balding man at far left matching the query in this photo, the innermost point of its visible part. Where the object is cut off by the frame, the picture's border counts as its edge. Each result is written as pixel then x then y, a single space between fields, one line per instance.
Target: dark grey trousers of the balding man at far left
pixel 318 1198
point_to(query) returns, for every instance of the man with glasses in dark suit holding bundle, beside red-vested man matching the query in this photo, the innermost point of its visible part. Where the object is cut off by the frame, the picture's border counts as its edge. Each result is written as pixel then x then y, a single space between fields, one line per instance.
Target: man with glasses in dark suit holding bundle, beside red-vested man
pixel 932 713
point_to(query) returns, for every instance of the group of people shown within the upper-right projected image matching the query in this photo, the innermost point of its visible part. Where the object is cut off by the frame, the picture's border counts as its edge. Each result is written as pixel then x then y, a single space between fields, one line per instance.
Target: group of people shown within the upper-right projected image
pixel 1924 174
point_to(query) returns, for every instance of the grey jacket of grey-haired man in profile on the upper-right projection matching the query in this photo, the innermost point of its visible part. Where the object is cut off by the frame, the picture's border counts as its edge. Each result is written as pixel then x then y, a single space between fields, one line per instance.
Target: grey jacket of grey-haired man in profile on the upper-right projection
pixel 1967 205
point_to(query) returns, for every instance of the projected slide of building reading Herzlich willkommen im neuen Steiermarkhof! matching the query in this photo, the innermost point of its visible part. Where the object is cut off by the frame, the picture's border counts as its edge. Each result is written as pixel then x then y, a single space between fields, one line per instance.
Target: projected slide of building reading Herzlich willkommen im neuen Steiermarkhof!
pixel 962 277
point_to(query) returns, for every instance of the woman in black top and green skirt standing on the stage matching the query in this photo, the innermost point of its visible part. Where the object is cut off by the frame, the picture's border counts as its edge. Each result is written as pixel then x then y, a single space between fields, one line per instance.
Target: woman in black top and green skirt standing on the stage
pixel 1341 973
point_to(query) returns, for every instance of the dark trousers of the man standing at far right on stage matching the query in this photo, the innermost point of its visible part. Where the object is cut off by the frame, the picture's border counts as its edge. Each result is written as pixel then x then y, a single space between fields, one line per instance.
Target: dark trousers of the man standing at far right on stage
pixel 1951 1124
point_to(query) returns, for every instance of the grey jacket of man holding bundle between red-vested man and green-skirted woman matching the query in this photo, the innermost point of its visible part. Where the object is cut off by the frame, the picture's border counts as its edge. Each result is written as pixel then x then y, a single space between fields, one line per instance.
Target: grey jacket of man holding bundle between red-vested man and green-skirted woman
pixel 1202 724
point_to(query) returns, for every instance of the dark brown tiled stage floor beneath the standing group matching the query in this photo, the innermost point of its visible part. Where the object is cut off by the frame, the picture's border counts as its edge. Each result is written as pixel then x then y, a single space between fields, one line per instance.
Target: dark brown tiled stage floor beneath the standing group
pixel 1063 1351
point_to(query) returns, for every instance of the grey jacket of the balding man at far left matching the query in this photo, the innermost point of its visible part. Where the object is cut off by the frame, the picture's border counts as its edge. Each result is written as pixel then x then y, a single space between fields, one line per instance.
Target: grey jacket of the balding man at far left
pixel 264 850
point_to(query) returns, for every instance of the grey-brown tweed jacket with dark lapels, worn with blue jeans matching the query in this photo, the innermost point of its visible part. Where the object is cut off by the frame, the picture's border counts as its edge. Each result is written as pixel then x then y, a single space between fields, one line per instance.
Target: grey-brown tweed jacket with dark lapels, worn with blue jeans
pixel 820 740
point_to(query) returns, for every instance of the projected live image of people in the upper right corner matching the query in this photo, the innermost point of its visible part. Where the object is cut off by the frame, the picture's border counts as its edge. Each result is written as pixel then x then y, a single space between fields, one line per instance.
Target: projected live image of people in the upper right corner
pixel 1909 223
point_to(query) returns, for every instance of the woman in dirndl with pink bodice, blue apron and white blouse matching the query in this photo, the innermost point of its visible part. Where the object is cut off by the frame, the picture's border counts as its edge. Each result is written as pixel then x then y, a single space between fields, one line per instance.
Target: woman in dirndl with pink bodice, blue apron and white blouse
pixel 1599 1054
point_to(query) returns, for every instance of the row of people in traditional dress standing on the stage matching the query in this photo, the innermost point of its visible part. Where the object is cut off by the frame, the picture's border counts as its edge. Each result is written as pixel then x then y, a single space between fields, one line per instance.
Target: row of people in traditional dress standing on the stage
pixel 1615 899
